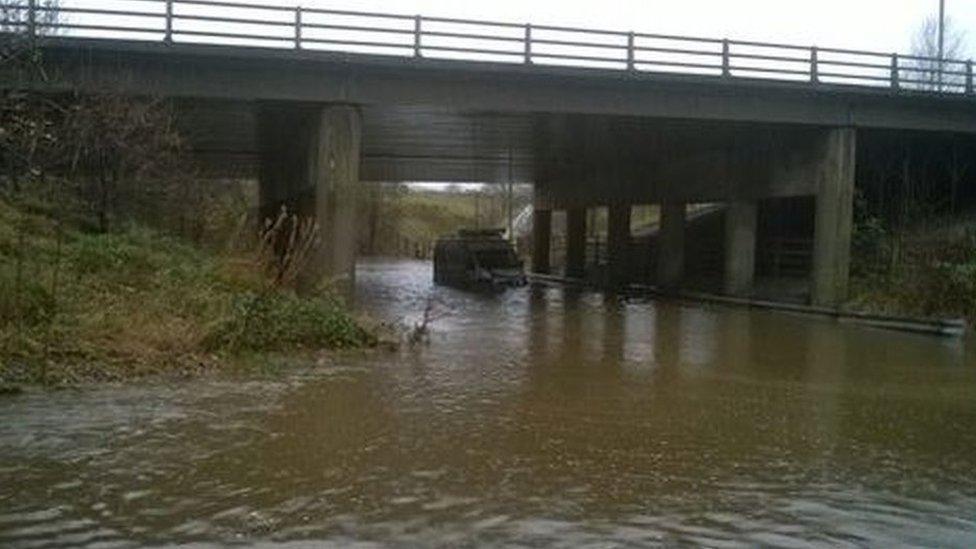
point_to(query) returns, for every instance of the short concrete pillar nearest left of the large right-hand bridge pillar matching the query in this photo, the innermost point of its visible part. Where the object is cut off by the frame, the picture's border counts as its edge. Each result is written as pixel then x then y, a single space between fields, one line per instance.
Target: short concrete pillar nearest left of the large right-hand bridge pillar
pixel 740 247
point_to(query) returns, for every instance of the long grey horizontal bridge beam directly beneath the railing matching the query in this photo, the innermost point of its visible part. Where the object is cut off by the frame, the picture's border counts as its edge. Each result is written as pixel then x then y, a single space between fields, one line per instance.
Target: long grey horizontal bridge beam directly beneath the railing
pixel 210 71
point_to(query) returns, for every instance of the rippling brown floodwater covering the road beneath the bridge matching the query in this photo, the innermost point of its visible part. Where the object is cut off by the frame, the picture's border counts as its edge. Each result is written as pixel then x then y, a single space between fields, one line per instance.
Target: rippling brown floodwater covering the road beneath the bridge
pixel 541 417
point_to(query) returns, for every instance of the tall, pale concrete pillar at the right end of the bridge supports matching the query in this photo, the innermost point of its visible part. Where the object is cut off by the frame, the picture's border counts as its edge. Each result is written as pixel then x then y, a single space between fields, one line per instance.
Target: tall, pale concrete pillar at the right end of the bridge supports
pixel 834 218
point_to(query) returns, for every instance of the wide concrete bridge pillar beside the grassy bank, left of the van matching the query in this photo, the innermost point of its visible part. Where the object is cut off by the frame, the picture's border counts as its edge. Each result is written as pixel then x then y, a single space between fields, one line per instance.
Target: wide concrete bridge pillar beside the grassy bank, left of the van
pixel 310 157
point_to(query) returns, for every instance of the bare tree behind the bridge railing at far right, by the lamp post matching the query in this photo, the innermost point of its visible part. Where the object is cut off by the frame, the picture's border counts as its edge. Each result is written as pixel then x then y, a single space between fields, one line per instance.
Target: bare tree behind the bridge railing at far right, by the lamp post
pixel 924 70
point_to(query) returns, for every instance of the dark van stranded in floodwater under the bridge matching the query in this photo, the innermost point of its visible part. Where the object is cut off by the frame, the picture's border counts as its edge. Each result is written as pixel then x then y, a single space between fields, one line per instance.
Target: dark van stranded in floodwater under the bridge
pixel 479 258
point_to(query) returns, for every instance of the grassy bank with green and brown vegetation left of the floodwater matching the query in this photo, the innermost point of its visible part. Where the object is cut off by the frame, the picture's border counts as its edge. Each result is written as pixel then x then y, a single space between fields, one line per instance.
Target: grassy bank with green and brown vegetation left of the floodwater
pixel 78 307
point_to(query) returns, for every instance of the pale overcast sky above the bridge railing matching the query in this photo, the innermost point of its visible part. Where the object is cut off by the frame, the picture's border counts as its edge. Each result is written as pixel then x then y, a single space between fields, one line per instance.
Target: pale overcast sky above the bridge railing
pixel 883 25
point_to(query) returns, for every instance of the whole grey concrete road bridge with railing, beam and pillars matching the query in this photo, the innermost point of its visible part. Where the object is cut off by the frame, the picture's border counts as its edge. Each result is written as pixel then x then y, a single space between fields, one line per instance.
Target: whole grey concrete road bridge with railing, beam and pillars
pixel 311 111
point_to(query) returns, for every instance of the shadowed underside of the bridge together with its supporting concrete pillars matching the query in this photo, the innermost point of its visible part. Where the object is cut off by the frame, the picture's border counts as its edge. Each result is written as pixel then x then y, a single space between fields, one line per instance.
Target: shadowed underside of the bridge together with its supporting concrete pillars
pixel 310 157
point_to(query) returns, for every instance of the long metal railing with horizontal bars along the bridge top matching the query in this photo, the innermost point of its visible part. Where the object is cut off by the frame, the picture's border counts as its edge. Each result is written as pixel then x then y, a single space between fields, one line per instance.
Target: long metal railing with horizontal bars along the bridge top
pixel 300 28
